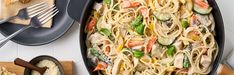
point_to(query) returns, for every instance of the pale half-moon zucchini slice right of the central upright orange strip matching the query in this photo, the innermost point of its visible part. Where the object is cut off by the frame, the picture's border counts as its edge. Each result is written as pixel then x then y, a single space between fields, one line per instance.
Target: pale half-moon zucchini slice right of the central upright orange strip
pixel 165 41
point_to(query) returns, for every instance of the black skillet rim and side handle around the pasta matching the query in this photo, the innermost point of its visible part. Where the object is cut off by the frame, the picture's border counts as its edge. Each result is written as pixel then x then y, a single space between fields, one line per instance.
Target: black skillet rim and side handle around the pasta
pixel 76 14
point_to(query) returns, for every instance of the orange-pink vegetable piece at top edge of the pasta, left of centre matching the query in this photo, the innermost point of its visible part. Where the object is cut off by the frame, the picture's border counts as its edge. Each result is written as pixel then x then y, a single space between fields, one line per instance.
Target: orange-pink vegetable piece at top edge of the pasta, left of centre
pixel 129 4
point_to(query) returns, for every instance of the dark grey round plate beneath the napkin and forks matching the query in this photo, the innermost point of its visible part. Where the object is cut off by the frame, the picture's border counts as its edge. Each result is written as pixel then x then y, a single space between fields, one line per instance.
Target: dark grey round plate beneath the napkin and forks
pixel 40 36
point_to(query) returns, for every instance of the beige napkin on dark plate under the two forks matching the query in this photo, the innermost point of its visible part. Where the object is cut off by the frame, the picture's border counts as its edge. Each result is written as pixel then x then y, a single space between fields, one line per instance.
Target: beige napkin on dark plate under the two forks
pixel 12 9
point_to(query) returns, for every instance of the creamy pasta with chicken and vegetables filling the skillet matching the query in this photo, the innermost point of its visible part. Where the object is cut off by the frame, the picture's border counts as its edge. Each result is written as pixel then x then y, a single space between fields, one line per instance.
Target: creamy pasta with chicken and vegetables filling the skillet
pixel 151 37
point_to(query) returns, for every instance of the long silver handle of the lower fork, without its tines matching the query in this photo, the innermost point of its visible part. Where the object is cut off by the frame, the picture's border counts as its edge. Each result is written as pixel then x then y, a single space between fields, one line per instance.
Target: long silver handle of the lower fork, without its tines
pixel 5 40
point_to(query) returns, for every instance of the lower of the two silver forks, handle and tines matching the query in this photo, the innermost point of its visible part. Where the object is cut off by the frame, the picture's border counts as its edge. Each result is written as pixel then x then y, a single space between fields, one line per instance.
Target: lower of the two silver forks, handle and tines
pixel 35 22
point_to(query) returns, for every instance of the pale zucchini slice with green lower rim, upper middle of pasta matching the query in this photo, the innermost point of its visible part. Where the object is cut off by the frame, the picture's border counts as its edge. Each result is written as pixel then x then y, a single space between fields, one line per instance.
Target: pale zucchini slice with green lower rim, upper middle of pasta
pixel 162 16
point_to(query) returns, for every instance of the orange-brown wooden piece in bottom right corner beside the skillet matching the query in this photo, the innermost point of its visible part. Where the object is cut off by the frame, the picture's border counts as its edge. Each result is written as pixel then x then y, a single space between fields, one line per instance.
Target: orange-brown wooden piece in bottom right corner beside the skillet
pixel 224 70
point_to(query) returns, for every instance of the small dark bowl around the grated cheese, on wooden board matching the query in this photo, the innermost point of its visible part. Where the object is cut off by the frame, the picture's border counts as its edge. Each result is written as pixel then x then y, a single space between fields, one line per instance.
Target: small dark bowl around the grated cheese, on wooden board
pixel 36 60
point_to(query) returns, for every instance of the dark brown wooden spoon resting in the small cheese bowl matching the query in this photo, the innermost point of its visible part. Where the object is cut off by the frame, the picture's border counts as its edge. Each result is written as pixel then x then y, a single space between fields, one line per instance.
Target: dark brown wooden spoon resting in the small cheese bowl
pixel 26 64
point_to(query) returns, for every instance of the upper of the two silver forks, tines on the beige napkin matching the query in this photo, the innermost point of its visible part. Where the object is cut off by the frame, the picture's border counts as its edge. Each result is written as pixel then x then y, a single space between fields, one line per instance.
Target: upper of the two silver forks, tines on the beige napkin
pixel 29 12
